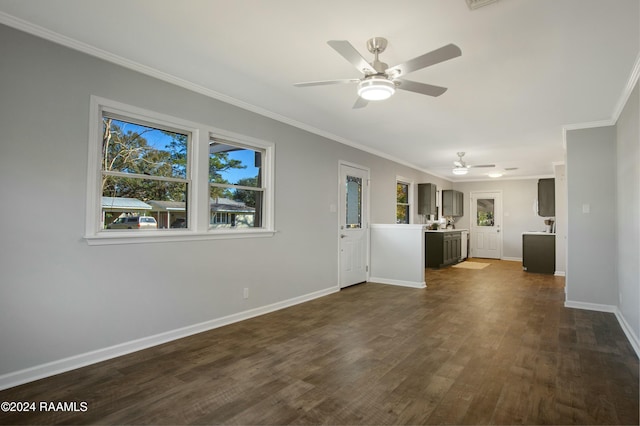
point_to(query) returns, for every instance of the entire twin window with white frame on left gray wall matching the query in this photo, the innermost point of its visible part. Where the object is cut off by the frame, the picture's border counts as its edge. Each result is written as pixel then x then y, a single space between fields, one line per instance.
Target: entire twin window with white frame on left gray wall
pixel 148 179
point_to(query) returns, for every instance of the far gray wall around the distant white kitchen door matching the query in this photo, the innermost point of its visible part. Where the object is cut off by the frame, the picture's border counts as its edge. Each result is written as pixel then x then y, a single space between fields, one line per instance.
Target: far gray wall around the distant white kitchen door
pixel 518 198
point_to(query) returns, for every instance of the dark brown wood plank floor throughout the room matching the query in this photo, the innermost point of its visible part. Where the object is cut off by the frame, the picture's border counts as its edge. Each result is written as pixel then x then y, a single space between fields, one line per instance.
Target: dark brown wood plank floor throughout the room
pixel 490 346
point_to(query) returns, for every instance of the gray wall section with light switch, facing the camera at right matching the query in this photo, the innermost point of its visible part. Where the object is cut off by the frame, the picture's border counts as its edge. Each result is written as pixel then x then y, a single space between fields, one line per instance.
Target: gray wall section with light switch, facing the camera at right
pixel 592 216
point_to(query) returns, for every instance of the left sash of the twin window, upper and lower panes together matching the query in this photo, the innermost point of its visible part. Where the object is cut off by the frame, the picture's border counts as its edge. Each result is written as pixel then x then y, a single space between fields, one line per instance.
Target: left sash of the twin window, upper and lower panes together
pixel 144 171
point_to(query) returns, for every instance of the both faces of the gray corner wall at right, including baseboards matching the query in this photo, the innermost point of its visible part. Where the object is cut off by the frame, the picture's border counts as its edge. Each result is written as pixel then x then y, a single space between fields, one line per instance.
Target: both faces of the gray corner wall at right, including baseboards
pixel 603 245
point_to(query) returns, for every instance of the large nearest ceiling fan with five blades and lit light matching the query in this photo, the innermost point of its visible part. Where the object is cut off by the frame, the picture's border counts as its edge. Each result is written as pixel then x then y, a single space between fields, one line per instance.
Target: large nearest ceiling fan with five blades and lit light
pixel 381 81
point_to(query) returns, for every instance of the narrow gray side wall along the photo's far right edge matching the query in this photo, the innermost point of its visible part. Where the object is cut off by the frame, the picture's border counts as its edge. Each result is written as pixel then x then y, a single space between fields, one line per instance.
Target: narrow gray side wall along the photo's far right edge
pixel 628 204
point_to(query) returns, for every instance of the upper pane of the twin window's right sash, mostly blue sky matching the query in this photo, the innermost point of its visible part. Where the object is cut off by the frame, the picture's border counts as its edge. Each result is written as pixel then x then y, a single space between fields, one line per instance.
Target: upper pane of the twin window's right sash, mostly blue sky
pixel 234 165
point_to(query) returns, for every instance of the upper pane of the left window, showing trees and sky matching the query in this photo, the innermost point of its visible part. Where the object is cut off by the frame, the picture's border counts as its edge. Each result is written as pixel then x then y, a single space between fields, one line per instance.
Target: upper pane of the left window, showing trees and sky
pixel 135 148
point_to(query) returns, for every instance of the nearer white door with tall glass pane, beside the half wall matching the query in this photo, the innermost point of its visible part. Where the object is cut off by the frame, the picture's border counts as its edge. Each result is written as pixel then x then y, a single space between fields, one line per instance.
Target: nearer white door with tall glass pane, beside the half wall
pixel 353 224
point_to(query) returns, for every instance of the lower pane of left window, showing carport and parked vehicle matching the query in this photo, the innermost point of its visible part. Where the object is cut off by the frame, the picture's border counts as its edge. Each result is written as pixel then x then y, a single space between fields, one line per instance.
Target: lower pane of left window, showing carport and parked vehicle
pixel 131 197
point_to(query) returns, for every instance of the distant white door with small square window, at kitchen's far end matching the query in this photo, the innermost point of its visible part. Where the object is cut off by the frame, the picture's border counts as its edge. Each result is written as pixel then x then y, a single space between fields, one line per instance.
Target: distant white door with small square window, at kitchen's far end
pixel 486 225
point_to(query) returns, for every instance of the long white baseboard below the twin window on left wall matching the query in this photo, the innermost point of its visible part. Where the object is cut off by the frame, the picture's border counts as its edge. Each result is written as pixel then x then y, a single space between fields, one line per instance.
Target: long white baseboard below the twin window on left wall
pixel 71 363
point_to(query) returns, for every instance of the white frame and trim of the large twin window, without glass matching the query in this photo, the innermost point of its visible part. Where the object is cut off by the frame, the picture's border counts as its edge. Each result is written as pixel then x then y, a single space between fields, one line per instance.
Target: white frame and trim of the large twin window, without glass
pixel 197 176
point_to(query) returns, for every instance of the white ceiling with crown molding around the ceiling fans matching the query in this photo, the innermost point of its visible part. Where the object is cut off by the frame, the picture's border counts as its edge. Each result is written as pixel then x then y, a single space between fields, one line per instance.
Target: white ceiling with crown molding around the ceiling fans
pixel 528 67
